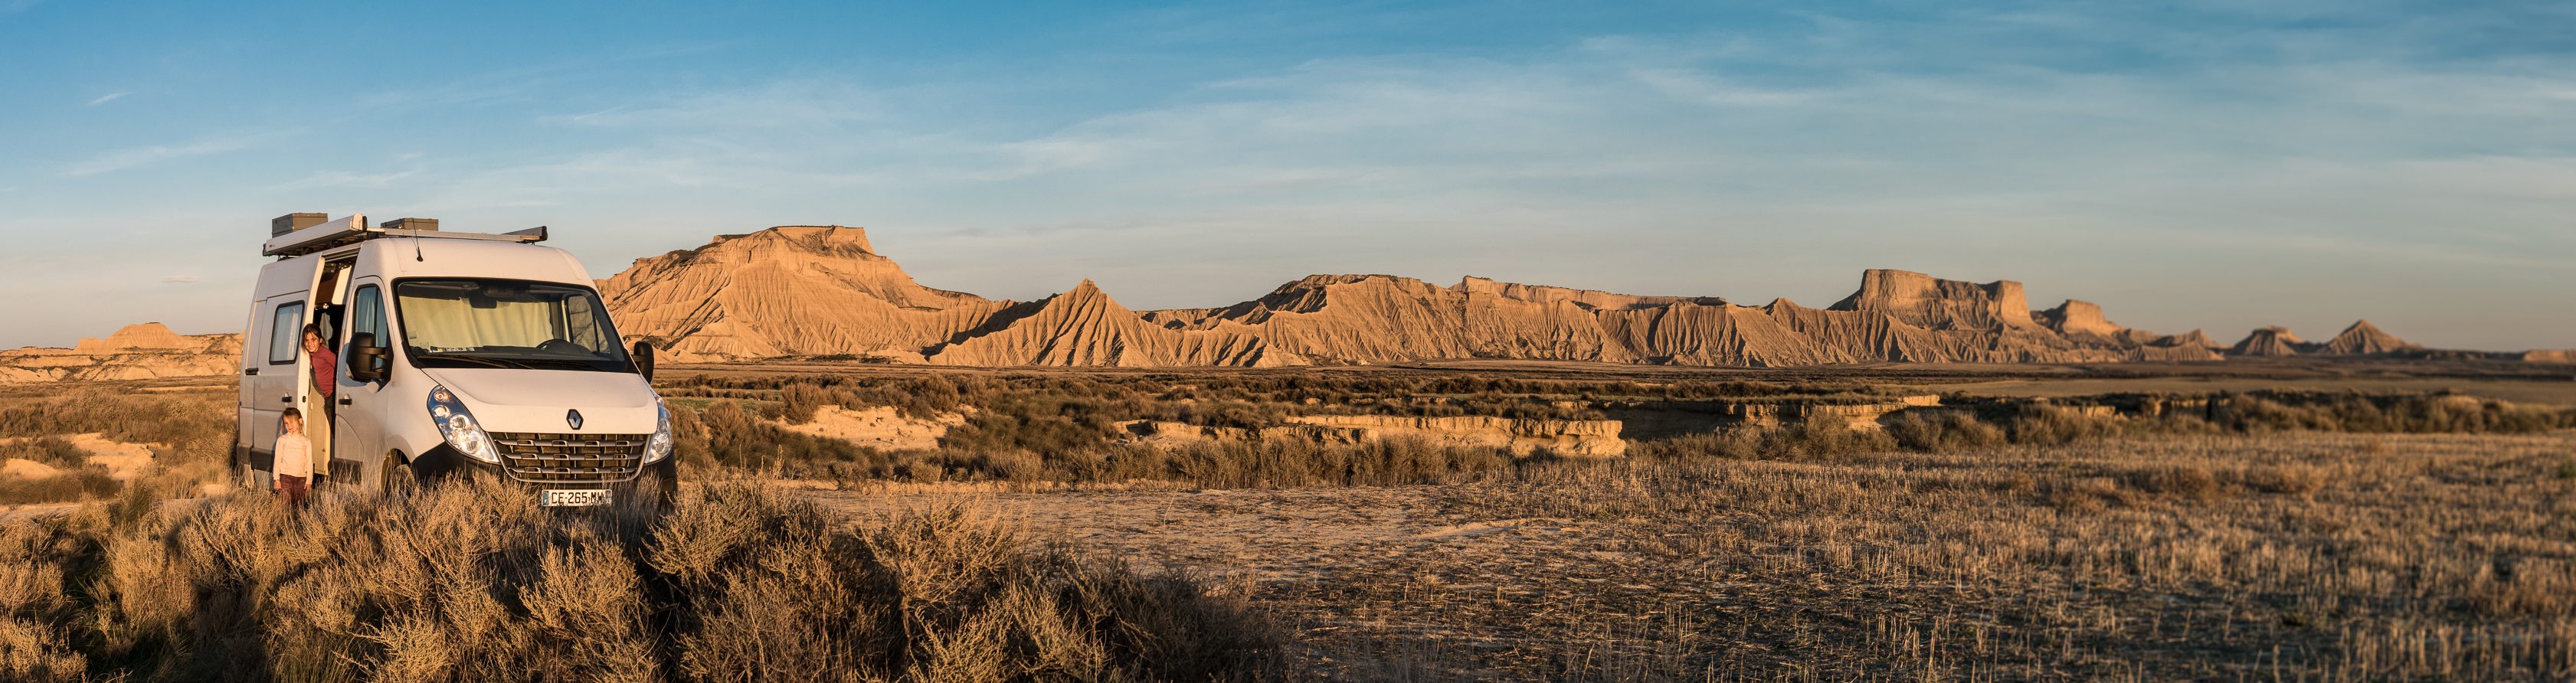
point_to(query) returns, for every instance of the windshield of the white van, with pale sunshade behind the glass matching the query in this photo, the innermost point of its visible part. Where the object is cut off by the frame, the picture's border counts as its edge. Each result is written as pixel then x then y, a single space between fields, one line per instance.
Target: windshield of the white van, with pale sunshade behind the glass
pixel 488 323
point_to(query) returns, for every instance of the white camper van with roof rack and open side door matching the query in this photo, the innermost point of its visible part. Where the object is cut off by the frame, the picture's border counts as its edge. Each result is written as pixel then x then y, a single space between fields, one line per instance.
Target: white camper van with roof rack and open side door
pixel 457 354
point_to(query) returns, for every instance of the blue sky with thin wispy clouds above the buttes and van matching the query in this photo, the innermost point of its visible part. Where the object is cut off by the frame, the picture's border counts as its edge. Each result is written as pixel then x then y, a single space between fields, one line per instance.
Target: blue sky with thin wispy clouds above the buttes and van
pixel 2186 166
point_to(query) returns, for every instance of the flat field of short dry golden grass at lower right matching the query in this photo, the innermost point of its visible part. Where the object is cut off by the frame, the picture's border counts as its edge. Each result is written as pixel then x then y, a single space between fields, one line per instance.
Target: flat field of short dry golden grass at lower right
pixel 2178 558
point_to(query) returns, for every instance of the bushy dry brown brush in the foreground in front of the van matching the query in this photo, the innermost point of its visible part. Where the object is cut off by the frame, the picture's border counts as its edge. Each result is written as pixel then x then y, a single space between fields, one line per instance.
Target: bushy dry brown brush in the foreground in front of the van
pixel 478 584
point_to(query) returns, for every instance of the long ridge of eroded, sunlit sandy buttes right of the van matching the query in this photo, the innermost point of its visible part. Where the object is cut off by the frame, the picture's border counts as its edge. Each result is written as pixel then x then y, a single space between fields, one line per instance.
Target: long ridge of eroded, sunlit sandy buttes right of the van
pixel 828 293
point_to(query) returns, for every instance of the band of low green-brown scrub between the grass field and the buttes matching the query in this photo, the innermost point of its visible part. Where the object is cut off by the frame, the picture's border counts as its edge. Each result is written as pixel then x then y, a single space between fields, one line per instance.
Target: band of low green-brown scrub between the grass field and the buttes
pixel 1075 429
